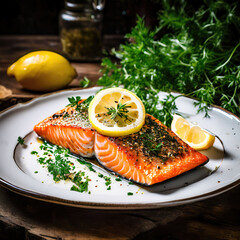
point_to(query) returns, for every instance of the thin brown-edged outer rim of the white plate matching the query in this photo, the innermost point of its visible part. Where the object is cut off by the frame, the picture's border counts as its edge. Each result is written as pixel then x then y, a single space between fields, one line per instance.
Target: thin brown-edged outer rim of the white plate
pixel 99 205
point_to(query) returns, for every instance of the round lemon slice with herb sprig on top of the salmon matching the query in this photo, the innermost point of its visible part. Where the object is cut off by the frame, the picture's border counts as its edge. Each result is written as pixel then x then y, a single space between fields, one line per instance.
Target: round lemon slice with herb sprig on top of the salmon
pixel 116 112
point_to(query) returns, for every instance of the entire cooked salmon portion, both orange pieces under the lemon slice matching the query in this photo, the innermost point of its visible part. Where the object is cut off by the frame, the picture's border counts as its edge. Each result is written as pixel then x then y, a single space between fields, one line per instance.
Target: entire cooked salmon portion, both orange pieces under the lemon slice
pixel 152 155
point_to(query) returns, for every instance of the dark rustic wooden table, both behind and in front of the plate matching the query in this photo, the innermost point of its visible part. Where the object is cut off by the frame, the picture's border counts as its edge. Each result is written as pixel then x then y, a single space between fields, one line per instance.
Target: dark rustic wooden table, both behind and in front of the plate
pixel 24 218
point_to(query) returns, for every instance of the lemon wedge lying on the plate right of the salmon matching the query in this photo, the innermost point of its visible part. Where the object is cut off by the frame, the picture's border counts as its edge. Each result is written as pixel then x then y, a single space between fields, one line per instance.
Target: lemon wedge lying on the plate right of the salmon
pixel 193 135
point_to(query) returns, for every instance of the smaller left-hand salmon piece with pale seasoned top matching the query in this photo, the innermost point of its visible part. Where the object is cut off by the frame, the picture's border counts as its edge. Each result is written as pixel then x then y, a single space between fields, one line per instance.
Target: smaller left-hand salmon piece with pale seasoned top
pixel 70 129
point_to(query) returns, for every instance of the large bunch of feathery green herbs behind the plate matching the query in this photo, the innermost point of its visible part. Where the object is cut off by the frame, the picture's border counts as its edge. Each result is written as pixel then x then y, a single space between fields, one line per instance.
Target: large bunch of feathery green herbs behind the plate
pixel 193 50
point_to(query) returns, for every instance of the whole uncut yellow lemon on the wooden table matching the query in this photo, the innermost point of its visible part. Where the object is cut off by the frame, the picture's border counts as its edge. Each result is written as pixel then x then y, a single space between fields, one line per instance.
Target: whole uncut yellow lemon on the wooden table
pixel 42 71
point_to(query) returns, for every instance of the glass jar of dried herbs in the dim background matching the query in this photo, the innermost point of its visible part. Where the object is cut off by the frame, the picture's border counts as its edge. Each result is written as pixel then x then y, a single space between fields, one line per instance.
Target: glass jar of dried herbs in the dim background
pixel 81 31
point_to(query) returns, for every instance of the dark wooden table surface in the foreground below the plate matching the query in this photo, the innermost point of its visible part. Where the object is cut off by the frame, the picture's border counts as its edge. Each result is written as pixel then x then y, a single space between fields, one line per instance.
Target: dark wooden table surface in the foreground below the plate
pixel 215 219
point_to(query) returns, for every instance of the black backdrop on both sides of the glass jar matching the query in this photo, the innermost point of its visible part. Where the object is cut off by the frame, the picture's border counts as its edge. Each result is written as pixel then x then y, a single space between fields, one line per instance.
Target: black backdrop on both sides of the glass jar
pixel 40 17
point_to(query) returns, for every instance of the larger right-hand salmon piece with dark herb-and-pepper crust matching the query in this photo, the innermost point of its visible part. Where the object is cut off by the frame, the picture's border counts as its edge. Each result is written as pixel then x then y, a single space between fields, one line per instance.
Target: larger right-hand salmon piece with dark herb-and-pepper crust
pixel 152 155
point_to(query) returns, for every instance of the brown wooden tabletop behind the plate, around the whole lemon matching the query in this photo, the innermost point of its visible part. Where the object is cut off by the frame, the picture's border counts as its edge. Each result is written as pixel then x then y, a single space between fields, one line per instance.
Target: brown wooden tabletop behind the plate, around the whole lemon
pixel 13 47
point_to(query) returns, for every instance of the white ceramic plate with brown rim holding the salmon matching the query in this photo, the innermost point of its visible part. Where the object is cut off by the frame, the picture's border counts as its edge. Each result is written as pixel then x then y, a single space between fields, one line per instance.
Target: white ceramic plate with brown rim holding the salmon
pixel 20 171
